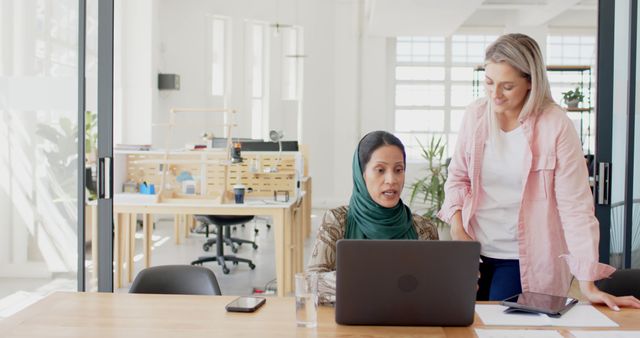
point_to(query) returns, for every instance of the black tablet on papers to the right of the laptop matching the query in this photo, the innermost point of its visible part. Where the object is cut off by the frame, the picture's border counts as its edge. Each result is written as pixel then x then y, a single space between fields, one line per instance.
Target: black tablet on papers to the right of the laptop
pixel 554 306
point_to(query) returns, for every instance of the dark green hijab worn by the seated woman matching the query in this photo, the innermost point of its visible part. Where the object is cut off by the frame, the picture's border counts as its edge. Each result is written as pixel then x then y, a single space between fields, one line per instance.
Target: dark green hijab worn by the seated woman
pixel 365 217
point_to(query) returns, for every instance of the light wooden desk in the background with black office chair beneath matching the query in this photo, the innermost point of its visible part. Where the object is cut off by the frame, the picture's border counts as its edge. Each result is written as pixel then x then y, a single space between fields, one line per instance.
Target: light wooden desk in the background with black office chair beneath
pixel 287 224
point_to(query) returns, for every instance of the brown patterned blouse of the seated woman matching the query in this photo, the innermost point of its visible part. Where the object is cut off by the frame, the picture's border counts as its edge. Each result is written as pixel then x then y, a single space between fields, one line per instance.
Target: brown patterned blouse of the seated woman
pixel 323 257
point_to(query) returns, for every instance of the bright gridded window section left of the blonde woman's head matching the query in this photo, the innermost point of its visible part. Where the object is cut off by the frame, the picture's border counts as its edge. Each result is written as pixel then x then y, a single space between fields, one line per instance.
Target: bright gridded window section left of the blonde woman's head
pixel 433 85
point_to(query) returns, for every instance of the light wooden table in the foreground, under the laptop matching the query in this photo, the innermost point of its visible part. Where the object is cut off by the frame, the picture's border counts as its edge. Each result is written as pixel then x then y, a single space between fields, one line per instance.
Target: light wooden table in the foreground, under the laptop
pixel 125 315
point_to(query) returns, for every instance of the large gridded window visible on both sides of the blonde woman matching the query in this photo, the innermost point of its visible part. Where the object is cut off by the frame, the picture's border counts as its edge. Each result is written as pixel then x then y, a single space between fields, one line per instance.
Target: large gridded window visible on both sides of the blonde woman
pixel 434 82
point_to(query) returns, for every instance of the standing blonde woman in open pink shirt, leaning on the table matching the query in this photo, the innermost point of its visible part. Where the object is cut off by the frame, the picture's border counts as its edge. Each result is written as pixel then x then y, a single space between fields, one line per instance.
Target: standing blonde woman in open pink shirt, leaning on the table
pixel 518 184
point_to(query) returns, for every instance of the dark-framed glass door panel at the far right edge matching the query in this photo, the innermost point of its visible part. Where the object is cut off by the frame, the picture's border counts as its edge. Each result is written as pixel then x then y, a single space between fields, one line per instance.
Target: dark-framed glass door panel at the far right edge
pixel 617 189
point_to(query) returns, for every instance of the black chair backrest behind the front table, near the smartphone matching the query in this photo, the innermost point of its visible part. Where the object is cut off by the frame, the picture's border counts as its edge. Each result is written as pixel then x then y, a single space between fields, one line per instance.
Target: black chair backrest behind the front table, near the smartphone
pixel 176 279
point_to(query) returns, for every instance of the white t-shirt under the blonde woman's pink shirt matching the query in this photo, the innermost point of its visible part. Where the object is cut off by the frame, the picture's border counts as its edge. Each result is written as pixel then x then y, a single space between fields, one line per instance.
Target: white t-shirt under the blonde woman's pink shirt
pixel 496 219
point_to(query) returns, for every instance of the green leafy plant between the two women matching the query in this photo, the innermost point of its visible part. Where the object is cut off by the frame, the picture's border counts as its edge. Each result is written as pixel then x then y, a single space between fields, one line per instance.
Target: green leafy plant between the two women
pixel 430 188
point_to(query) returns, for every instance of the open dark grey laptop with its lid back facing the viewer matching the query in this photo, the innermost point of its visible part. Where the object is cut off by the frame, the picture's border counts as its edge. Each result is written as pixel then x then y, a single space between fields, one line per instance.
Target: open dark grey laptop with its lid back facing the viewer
pixel 406 282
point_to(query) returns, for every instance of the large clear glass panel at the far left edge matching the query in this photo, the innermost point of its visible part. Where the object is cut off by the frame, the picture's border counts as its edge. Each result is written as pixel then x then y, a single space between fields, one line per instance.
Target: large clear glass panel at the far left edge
pixel 38 149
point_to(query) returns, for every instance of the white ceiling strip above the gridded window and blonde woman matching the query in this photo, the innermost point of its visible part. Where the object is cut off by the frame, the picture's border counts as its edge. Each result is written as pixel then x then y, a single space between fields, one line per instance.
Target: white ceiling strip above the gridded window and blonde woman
pixel 444 17
